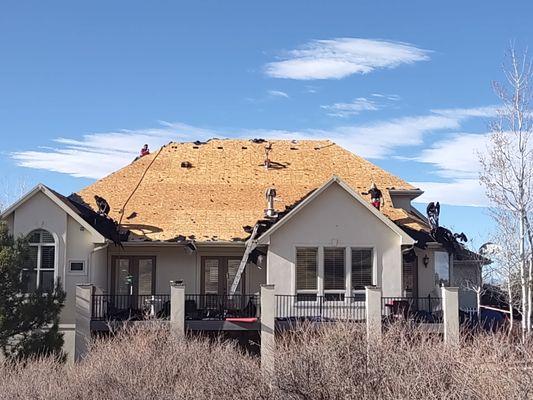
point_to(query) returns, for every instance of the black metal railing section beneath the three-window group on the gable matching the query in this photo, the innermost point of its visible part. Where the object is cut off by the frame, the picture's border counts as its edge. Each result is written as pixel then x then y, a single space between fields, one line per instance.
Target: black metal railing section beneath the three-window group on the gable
pixel 310 307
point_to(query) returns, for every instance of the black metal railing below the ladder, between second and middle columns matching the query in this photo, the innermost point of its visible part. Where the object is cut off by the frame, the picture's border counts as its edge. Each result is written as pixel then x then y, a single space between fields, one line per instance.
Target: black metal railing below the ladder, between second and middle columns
pixel 217 307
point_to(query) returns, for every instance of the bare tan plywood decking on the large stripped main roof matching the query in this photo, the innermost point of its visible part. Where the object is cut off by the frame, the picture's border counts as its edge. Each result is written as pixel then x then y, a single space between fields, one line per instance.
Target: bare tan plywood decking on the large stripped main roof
pixel 224 189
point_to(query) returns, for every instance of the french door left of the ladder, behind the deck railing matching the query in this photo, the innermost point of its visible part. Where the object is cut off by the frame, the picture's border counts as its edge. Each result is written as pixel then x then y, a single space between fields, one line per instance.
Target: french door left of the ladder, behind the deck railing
pixel 133 275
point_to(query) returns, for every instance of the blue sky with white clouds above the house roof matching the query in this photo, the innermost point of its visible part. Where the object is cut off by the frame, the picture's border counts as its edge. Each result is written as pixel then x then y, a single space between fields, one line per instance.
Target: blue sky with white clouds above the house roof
pixel 406 84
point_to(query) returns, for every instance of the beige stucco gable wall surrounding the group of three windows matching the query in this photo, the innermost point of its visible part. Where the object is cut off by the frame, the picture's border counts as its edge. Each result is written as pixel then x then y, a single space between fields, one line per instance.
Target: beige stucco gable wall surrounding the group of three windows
pixel 335 219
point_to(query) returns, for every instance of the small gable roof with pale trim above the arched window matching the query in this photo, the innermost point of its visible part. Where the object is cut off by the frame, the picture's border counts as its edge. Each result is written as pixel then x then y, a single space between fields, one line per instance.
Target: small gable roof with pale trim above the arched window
pixel 83 215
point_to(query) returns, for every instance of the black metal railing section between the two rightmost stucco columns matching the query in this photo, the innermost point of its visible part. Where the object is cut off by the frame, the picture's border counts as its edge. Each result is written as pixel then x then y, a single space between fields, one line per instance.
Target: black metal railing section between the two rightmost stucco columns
pixel 421 309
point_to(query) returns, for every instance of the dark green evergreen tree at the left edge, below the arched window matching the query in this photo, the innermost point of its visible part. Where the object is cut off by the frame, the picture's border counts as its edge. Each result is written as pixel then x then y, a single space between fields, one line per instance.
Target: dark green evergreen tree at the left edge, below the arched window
pixel 29 322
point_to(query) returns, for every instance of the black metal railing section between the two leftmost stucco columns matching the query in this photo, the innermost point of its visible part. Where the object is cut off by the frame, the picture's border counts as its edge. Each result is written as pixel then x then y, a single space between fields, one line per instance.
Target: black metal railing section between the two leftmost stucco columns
pixel 122 307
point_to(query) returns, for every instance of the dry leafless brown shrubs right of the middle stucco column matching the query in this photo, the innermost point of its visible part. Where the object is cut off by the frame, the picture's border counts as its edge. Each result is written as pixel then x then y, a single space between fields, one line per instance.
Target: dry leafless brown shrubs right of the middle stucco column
pixel 408 363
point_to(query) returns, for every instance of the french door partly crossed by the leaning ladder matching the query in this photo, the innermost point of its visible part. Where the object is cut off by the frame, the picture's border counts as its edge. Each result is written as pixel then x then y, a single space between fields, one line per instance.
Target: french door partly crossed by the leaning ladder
pixel 218 274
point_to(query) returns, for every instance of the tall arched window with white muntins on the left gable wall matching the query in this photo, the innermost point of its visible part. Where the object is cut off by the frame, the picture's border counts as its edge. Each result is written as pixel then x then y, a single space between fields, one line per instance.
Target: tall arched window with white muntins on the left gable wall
pixel 40 269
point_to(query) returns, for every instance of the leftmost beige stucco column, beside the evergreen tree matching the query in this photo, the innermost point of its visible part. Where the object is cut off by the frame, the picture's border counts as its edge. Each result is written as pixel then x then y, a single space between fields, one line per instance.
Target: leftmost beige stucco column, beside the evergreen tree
pixel 84 313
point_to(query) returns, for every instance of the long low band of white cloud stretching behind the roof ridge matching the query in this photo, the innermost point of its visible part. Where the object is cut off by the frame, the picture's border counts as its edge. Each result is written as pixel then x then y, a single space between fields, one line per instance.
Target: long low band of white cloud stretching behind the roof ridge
pixel 453 159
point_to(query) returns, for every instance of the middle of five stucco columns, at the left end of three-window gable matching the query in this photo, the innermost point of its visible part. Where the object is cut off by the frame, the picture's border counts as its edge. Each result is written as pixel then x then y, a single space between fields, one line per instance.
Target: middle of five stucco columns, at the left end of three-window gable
pixel 268 321
